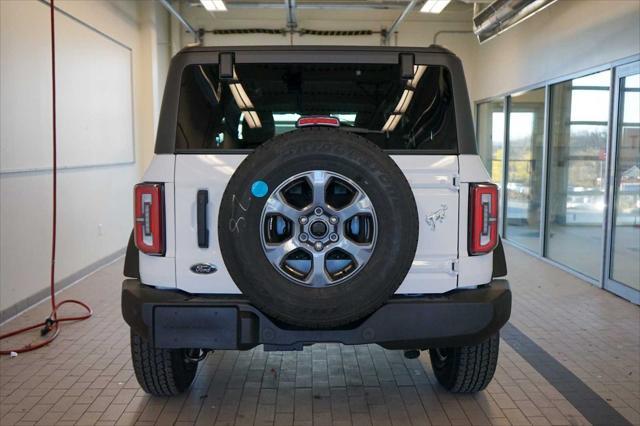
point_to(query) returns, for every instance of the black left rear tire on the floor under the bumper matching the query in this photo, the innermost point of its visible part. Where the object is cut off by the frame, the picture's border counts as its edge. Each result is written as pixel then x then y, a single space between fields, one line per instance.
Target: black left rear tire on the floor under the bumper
pixel 161 372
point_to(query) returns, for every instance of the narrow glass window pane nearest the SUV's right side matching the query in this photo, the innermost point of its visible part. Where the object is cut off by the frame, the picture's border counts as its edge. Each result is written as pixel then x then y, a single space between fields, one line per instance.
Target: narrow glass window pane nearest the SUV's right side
pixel 491 137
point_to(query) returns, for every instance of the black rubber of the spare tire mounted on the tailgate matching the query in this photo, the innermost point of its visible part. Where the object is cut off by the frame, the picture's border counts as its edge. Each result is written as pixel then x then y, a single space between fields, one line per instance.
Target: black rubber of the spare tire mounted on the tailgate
pixel 301 151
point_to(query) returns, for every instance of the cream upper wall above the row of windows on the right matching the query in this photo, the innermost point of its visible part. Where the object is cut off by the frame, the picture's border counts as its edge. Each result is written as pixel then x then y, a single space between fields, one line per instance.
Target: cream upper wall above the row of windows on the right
pixel 564 38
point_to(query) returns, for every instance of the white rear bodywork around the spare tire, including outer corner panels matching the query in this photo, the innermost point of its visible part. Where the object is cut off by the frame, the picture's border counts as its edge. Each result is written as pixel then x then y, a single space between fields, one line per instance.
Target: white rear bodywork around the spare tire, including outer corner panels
pixel 439 184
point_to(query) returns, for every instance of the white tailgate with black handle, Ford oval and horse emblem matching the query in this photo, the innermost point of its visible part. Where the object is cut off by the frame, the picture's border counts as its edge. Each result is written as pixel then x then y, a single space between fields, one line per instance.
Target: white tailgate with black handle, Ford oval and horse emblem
pixel 433 179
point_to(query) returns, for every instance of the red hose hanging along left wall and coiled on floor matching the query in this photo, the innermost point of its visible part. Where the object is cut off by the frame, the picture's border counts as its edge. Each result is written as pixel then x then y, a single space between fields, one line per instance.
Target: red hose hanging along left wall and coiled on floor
pixel 50 326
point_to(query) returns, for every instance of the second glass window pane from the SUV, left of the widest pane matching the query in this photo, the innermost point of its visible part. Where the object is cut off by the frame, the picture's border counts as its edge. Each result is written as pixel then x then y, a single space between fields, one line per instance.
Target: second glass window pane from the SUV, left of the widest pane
pixel 524 172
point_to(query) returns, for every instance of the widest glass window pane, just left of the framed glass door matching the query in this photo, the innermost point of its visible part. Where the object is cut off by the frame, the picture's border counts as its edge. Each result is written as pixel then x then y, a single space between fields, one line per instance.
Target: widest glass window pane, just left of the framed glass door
pixel 577 172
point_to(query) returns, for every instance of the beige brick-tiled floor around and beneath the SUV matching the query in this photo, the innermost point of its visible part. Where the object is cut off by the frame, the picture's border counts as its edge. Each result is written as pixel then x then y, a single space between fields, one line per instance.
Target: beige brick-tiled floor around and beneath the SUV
pixel 85 376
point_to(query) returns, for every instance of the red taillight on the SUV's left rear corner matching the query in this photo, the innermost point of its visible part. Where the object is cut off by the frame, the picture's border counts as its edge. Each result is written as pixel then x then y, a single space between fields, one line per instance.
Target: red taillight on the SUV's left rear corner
pixel 149 218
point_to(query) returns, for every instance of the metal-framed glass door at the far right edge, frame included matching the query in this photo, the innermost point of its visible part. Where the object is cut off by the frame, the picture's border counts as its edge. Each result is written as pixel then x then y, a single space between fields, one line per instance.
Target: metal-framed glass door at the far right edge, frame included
pixel 622 269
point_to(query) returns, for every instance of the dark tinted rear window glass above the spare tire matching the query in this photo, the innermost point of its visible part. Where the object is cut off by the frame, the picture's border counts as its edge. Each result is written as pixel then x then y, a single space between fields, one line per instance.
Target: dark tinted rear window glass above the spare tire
pixel 264 100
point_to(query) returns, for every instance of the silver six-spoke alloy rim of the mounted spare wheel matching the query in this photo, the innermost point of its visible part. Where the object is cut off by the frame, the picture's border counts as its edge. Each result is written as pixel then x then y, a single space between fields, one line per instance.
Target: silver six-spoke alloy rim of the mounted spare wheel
pixel 318 228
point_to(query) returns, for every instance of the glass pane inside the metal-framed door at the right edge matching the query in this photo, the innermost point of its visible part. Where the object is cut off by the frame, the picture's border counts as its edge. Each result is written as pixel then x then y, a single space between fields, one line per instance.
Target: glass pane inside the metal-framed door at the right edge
pixel 625 250
